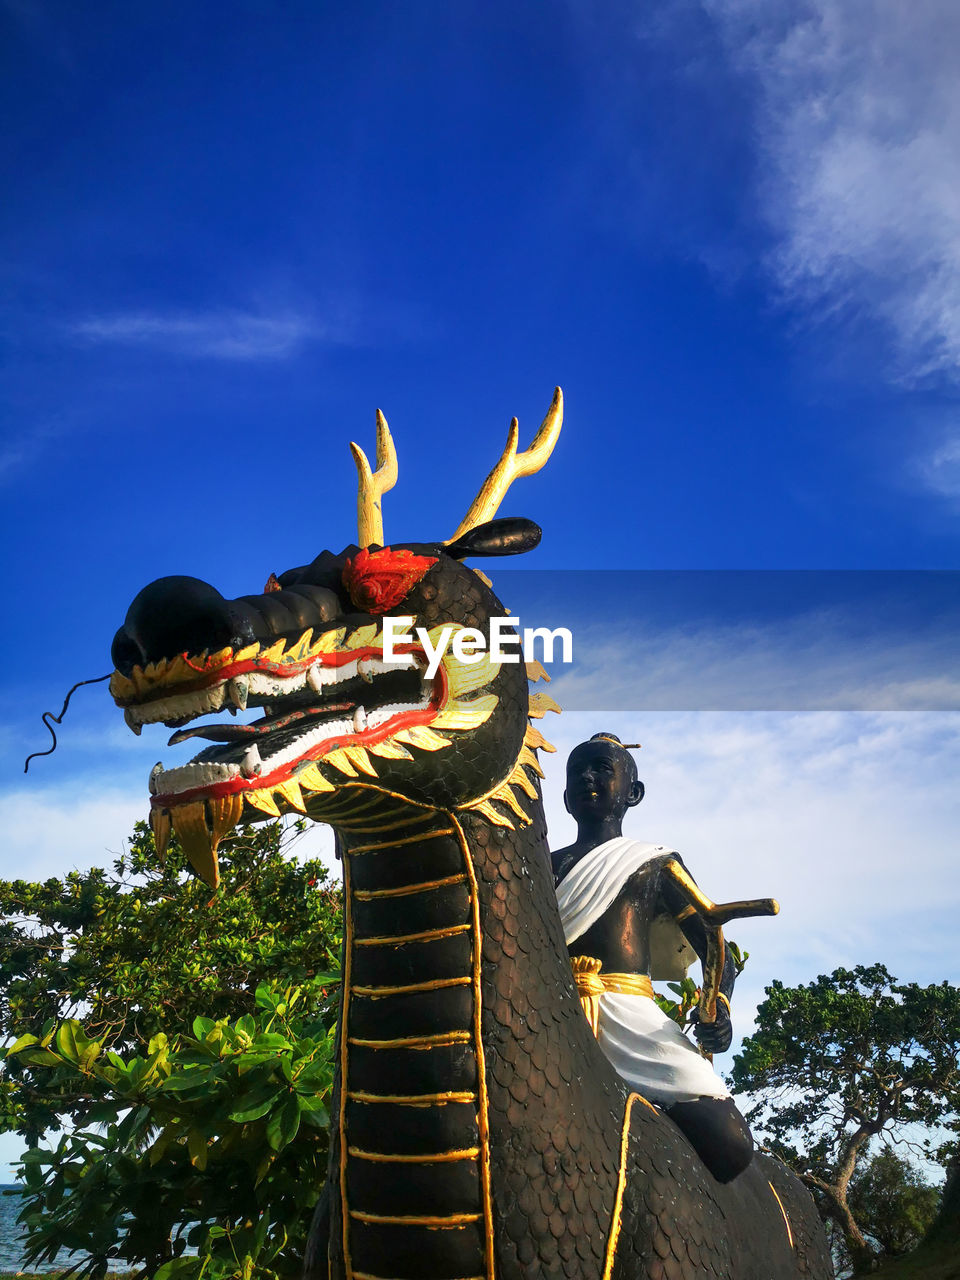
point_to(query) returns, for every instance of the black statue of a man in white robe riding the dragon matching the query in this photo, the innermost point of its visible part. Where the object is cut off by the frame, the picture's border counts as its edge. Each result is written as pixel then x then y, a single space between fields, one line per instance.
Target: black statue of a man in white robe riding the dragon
pixel 612 898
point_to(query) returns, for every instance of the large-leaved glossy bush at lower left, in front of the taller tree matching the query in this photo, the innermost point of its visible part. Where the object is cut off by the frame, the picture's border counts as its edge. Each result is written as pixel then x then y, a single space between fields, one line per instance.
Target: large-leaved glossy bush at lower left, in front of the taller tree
pixel 216 1140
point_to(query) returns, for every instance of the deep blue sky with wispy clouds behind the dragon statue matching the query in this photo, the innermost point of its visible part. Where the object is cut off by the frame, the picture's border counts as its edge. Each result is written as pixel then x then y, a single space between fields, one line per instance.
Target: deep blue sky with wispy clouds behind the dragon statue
pixel 728 228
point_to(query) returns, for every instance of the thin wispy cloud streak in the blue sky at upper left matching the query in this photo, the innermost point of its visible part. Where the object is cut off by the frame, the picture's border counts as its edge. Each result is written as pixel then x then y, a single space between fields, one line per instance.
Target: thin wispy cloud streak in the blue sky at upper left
pixel 227 335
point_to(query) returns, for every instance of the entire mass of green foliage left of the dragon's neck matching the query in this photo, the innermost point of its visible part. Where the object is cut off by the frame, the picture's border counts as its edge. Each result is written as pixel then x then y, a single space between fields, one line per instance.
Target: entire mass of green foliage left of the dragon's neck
pixel 185 1046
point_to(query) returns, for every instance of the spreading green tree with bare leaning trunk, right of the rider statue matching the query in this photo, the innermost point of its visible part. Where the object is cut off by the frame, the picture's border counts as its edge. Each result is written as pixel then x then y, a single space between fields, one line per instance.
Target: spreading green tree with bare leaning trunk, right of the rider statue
pixel 842 1062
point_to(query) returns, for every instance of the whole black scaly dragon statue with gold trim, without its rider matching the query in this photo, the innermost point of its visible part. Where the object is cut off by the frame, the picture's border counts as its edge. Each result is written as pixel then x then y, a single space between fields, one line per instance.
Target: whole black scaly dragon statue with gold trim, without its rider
pixel 478 1131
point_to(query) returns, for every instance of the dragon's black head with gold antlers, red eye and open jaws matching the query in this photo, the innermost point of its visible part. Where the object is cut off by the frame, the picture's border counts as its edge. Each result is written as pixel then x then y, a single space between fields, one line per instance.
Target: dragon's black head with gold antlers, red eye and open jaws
pixel 342 714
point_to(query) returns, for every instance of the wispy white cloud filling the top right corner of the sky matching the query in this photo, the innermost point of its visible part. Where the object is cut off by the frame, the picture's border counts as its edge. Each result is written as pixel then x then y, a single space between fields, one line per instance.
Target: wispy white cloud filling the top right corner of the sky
pixel 858 118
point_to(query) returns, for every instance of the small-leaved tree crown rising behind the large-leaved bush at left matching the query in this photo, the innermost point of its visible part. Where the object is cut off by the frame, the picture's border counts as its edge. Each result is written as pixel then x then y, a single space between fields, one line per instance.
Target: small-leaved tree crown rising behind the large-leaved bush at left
pixel 145 949
